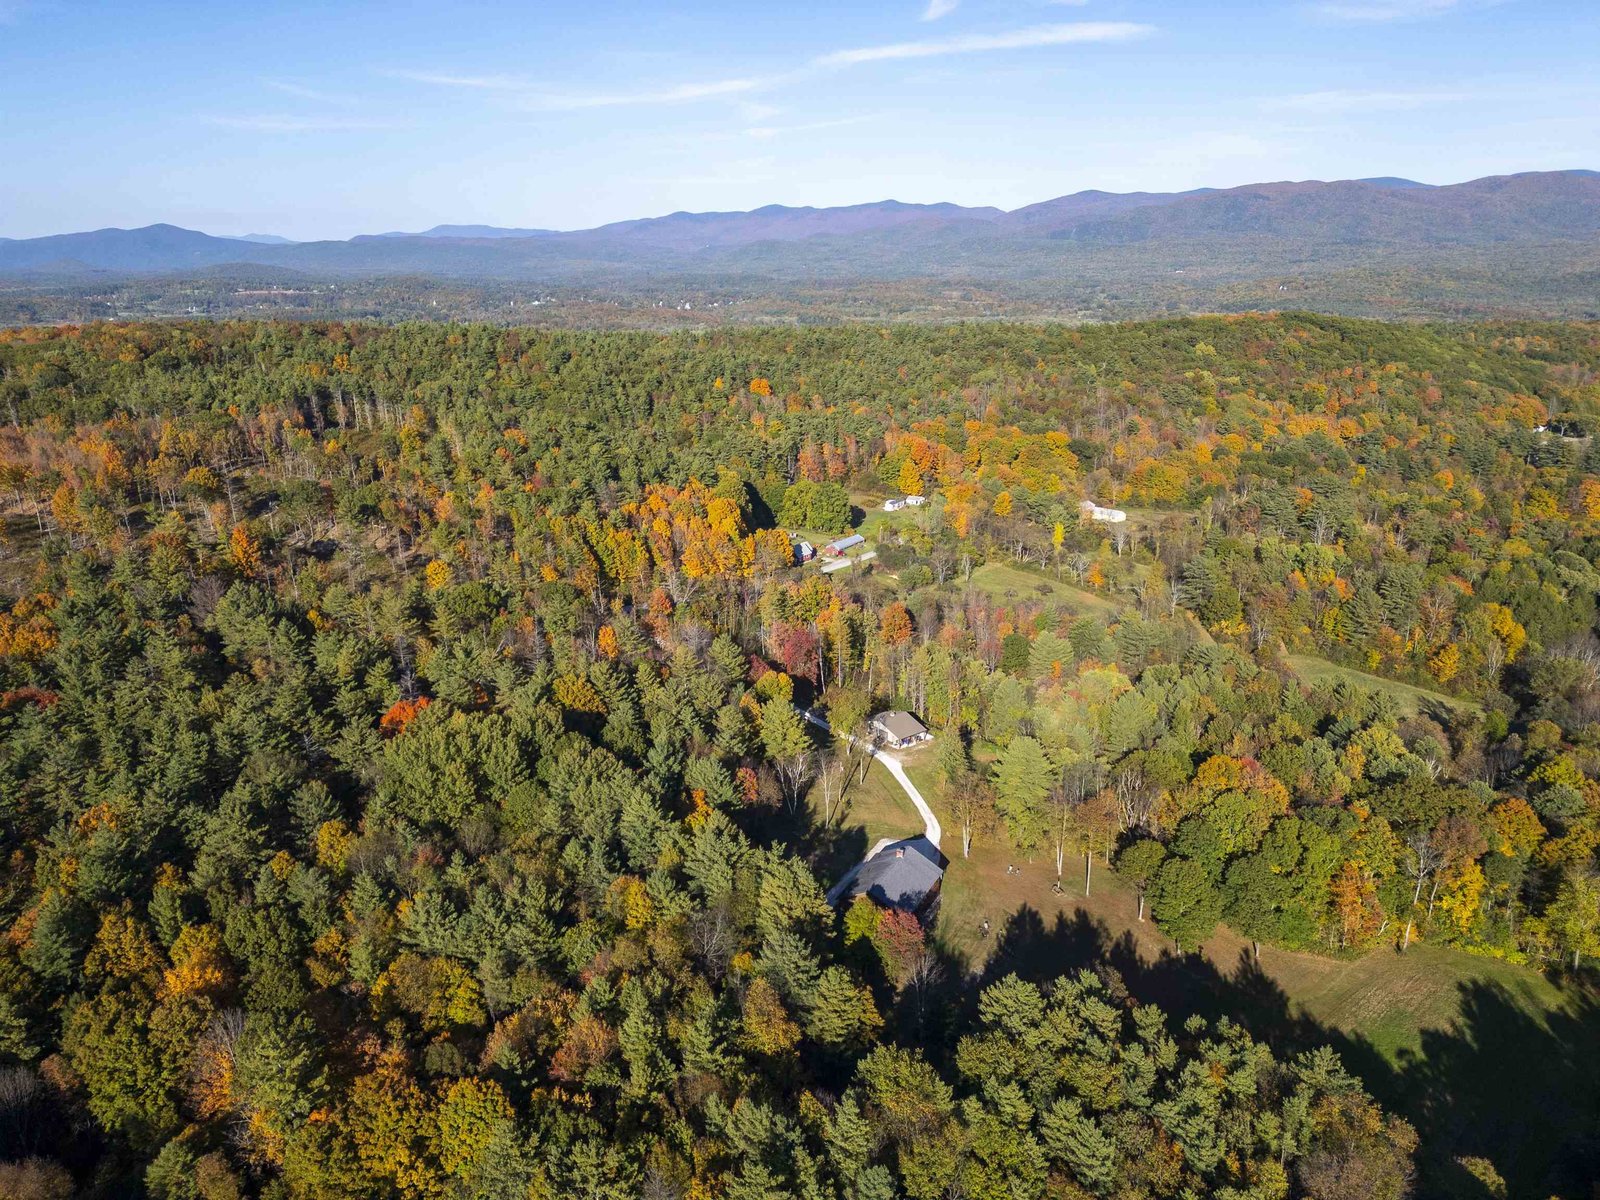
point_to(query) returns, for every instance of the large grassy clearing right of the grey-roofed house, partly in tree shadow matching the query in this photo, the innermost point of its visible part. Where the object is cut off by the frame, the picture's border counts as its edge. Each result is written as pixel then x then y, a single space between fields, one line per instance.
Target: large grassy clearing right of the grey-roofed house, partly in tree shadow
pixel 1487 1058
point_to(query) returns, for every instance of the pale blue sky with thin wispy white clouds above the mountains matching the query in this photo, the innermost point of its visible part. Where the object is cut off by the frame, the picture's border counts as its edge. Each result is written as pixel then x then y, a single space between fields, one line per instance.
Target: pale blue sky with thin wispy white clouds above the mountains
pixel 324 121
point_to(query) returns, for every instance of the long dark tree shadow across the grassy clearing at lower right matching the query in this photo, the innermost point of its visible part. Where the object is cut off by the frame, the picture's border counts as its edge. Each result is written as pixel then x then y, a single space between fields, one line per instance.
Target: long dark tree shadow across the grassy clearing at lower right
pixel 1503 1084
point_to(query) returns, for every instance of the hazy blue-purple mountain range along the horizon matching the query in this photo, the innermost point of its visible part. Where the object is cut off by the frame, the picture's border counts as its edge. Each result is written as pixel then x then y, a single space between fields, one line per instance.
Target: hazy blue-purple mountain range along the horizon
pixel 1238 233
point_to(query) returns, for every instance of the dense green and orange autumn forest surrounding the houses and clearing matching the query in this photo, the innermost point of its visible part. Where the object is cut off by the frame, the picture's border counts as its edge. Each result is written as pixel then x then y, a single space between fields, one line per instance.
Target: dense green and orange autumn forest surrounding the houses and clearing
pixel 407 791
